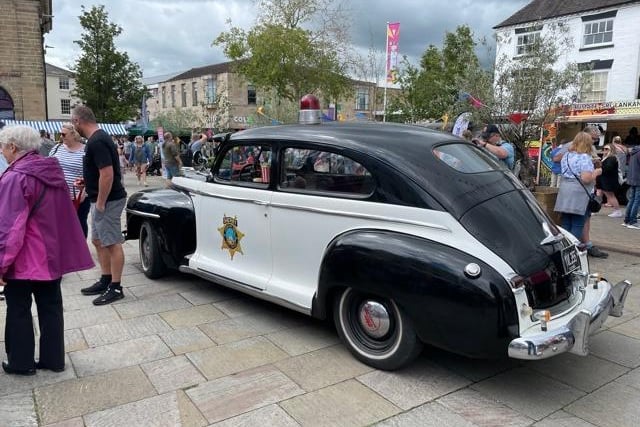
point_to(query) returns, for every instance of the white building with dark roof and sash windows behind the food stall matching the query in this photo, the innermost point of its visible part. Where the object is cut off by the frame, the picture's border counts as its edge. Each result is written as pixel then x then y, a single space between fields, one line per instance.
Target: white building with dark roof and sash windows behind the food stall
pixel 606 43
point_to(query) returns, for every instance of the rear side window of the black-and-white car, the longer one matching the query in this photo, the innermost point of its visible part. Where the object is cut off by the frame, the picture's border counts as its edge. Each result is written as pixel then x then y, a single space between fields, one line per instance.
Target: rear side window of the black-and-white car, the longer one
pixel 307 170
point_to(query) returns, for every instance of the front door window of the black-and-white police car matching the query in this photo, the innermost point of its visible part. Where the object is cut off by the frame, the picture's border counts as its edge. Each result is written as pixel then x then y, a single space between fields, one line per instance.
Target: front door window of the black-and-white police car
pixel 245 164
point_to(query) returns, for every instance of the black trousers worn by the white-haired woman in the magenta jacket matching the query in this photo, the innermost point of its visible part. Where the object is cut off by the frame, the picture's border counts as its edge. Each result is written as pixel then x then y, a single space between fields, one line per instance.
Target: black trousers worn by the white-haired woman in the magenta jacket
pixel 18 334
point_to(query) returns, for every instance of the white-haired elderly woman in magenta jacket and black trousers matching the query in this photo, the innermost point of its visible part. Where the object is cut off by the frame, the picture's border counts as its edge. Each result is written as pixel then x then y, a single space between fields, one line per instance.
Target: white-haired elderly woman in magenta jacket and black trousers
pixel 40 240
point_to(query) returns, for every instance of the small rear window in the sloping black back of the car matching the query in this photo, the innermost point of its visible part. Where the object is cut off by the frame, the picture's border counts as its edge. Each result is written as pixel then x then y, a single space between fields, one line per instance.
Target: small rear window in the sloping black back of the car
pixel 466 158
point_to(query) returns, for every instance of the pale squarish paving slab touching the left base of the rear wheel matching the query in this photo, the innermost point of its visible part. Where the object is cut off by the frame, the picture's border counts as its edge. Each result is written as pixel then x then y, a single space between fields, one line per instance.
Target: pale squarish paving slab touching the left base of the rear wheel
pixel 322 367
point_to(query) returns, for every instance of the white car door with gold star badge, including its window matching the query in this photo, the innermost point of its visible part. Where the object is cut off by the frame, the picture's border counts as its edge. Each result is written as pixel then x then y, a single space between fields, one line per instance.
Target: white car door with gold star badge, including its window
pixel 232 217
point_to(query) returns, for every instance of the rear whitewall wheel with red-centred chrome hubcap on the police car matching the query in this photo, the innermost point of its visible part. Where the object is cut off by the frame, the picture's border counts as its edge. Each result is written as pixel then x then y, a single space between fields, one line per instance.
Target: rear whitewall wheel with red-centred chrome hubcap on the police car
pixel 375 330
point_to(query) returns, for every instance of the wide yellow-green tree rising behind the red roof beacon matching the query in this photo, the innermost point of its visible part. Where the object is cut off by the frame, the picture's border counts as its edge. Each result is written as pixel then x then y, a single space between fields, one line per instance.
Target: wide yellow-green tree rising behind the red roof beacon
pixel 295 47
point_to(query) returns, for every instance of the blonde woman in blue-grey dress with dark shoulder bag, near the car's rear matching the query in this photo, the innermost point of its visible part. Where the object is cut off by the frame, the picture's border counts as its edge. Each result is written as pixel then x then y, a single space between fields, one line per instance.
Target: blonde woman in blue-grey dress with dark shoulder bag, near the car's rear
pixel 577 185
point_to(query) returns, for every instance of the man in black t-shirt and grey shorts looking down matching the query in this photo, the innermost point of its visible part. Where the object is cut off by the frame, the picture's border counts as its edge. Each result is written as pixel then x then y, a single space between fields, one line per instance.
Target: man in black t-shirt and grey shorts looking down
pixel 103 184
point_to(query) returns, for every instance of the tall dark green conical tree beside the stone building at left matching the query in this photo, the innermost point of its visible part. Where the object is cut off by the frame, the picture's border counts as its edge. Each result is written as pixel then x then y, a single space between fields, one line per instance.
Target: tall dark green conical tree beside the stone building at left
pixel 106 79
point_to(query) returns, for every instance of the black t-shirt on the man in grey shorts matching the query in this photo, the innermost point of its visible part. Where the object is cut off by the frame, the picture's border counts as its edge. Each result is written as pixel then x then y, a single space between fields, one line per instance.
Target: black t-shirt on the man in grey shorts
pixel 101 152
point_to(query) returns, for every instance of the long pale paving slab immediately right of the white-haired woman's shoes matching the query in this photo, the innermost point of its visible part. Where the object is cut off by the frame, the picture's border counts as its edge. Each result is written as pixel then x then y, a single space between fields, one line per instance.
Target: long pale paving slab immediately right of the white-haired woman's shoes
pixel 113 356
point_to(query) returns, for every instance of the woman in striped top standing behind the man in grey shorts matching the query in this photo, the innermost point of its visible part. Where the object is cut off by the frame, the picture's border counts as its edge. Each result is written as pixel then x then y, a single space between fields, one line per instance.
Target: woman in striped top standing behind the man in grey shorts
pixel 70 155
